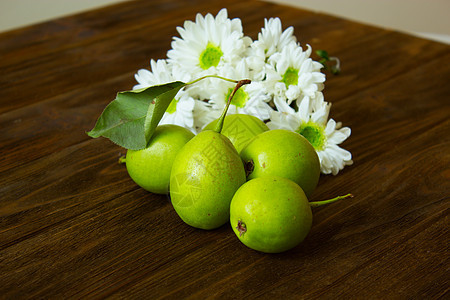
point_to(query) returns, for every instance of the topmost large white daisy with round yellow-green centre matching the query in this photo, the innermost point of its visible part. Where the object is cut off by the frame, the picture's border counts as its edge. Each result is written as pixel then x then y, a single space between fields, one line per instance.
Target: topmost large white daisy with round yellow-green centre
pixel 208 44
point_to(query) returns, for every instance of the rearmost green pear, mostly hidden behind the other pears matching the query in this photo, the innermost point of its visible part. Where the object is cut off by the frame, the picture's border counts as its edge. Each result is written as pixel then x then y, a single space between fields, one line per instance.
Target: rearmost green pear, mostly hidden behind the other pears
pixel 240 129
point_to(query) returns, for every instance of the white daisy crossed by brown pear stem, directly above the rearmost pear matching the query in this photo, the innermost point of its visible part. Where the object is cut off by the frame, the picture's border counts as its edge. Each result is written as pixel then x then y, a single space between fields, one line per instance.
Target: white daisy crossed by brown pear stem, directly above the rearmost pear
pixel 250 99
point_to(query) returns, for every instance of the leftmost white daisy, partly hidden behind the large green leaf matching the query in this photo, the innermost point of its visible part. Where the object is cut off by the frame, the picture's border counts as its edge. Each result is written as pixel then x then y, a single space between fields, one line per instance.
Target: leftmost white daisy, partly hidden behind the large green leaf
pixel 181 109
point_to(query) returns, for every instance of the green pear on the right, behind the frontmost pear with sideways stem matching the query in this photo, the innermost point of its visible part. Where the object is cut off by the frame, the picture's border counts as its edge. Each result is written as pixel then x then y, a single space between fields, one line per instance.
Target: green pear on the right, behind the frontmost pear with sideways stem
pixel 283 153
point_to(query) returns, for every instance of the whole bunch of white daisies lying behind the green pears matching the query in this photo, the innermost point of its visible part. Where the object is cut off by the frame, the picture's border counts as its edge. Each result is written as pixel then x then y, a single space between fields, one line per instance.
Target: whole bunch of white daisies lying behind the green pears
pixel 285 90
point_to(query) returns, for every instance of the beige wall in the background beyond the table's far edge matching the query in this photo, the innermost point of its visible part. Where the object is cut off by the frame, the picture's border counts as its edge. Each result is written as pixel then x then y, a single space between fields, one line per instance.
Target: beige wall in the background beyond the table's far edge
pixel 429 18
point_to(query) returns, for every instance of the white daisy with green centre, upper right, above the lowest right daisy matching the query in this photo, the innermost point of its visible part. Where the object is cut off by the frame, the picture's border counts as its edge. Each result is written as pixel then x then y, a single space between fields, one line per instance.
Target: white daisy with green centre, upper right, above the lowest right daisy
pixel 293 75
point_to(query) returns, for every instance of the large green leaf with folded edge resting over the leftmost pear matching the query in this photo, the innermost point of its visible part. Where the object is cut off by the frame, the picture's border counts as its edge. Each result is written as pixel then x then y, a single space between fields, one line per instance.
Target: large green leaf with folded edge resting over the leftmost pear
pixel 131 118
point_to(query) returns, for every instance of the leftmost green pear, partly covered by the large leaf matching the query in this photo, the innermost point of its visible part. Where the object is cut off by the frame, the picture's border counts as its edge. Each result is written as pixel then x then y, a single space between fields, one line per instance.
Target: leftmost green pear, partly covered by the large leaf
pixel 150 167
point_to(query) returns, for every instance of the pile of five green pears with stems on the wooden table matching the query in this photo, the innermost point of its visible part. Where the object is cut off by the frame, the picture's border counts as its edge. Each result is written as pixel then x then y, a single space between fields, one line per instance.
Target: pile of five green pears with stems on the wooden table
pixel 236 170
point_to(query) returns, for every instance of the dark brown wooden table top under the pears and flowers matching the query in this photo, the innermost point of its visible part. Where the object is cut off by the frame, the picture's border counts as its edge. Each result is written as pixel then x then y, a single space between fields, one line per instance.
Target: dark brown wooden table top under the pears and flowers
pixel 74 225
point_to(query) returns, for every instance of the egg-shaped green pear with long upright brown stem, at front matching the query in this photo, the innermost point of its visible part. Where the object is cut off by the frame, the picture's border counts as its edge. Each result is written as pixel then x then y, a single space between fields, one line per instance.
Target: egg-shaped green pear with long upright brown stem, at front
pixel 205 175
